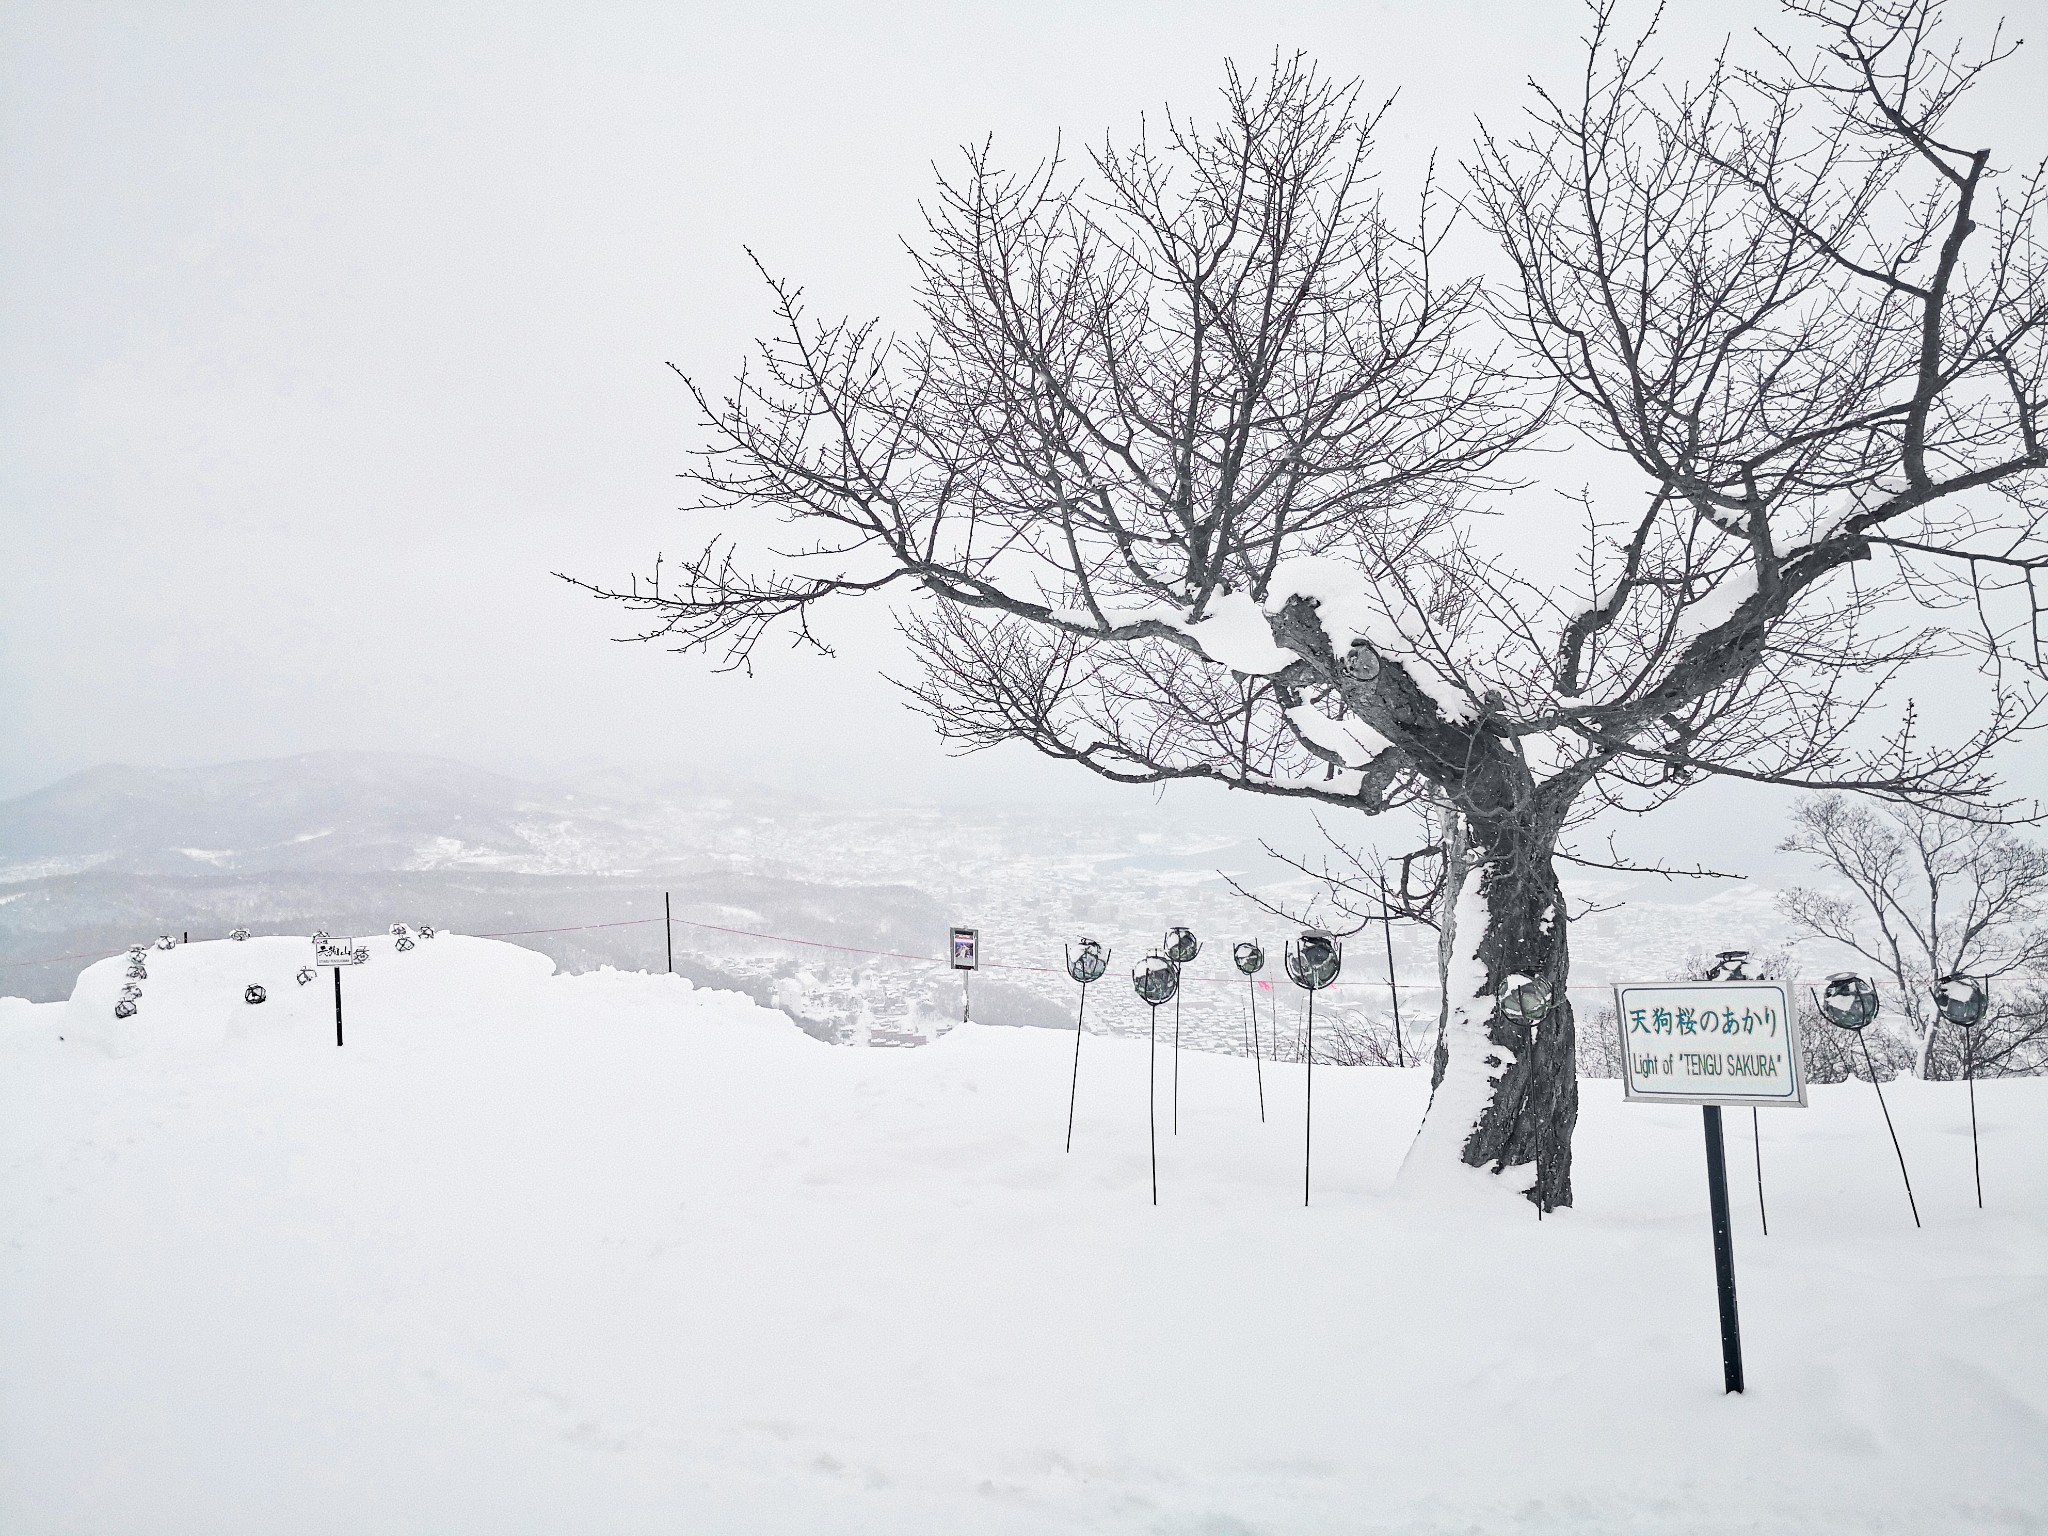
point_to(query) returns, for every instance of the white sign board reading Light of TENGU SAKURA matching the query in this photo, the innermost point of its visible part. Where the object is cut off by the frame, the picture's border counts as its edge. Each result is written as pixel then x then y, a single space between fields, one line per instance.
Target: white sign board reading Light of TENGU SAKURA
pixel 1711 1043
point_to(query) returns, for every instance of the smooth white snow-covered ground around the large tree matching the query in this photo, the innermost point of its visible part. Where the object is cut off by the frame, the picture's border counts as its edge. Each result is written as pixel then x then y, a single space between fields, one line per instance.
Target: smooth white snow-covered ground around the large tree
pixel 607 1254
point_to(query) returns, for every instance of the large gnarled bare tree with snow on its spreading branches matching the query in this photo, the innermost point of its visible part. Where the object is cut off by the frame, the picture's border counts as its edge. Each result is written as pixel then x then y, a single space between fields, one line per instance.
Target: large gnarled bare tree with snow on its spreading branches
pixel 1185 460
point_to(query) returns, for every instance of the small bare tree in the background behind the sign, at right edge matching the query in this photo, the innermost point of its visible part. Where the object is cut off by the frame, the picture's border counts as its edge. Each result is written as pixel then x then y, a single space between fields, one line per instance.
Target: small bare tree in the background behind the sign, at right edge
pixel 1932 896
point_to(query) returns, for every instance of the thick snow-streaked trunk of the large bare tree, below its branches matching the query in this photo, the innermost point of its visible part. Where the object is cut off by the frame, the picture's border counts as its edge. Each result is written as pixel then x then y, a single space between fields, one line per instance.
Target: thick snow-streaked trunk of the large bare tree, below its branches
pixel 1504 1095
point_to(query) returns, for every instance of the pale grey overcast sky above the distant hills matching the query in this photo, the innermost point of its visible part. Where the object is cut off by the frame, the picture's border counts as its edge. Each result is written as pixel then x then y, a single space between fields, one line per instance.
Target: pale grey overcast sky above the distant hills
pixel 327 333
